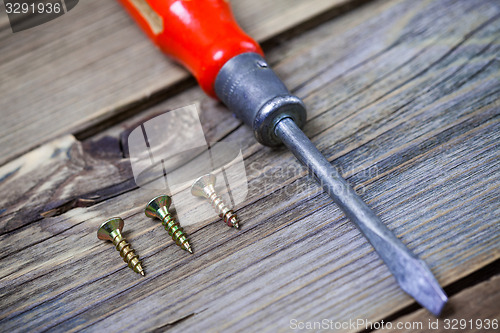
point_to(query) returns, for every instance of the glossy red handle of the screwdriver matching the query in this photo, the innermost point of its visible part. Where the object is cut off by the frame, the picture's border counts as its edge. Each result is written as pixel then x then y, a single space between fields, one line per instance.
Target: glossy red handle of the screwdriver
pixel 202 35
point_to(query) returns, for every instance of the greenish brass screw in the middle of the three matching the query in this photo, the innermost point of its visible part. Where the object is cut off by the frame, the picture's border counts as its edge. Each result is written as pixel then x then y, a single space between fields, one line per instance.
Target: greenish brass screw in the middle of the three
pixel 158 208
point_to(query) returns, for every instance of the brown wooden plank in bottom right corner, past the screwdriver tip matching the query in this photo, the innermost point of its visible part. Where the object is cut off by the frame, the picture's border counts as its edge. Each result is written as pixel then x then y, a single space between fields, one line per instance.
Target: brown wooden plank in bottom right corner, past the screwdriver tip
pixel 475 309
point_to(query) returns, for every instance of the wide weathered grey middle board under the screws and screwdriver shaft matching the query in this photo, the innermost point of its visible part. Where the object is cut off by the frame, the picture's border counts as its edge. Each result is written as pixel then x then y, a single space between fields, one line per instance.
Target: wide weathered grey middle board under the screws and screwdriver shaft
pixel 403 96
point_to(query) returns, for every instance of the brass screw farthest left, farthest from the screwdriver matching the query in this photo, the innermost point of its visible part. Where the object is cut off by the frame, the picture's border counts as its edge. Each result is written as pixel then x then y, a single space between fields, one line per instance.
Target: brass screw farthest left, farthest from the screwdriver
pixel 111 230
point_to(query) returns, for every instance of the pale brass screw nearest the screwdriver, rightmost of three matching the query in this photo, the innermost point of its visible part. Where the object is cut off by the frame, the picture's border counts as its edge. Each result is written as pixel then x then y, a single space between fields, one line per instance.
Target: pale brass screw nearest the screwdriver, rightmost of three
pixel 205 187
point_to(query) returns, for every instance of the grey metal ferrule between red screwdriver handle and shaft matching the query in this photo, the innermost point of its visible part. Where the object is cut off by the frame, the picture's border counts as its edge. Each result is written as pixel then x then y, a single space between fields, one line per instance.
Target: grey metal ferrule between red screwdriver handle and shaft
pixel 251 89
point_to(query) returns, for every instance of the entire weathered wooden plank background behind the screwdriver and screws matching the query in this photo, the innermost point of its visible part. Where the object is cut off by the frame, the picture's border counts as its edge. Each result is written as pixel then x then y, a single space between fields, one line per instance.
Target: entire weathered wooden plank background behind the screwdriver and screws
pixel 403 96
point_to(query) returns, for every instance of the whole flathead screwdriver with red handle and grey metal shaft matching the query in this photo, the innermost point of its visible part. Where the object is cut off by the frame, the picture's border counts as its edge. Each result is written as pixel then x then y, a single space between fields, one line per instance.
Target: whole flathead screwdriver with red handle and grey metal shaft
pixel 203 36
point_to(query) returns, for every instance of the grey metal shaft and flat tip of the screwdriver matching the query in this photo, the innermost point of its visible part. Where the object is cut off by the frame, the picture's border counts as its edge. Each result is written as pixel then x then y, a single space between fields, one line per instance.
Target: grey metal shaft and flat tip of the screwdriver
pixel 411 273
